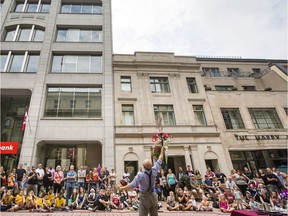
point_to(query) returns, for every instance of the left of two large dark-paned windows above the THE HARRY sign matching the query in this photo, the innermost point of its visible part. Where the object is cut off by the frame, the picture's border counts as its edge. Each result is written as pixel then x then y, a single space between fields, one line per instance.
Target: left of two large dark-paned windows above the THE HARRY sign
pixel 232 118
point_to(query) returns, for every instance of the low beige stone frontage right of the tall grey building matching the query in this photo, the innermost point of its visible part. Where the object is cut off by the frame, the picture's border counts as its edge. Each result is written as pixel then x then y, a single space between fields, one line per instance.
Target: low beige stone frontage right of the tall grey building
pixel 208 104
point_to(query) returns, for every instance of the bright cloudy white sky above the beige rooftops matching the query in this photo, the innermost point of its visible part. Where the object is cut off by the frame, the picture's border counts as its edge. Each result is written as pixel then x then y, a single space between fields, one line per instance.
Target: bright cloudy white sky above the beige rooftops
pixel 229 28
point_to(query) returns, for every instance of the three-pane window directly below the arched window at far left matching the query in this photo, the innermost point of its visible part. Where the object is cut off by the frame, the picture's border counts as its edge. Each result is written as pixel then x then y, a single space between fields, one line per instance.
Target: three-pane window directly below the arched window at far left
pixel 16 62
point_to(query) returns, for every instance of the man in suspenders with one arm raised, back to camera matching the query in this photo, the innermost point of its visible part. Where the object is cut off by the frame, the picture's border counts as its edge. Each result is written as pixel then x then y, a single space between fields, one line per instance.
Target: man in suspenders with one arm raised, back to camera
pixel 146 180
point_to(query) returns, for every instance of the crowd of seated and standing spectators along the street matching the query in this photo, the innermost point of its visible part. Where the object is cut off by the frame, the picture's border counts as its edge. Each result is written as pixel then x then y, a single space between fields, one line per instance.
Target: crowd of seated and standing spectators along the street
pixel 63 189
